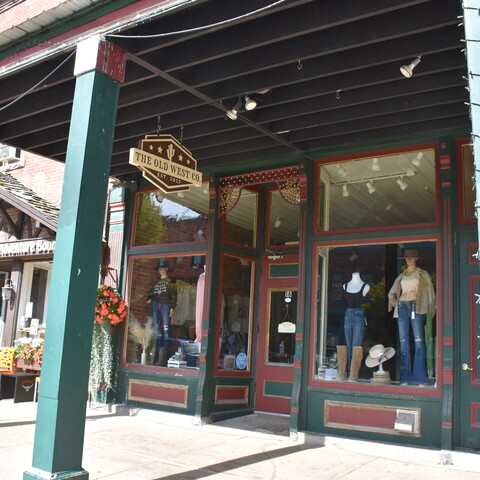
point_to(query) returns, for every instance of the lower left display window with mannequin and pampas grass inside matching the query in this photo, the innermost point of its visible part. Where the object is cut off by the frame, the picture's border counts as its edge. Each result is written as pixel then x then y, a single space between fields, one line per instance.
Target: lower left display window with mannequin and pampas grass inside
pixel 166 300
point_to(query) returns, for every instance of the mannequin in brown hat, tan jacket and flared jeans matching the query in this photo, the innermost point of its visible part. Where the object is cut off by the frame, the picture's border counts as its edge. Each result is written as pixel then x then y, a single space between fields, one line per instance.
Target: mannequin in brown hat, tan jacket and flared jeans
pixel 412 297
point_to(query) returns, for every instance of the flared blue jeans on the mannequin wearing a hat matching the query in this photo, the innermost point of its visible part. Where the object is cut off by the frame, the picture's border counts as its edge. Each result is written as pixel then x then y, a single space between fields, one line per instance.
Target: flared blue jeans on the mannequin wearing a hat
pixel 407 317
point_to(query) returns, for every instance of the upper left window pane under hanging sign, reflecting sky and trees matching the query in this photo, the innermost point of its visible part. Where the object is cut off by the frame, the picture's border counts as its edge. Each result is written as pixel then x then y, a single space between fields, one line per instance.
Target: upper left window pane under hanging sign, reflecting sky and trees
pixel 171 218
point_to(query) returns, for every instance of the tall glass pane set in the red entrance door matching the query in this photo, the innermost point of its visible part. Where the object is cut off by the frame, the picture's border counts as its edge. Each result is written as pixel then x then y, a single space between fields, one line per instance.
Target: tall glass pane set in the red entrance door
pixel 283 322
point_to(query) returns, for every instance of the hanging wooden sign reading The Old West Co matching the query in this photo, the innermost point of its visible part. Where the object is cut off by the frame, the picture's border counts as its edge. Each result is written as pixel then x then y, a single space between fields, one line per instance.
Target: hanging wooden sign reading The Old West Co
pixel 166 163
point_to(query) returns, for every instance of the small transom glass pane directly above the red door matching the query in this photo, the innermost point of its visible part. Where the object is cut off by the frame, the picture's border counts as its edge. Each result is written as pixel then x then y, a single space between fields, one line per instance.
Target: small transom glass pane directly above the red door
pixel 284 221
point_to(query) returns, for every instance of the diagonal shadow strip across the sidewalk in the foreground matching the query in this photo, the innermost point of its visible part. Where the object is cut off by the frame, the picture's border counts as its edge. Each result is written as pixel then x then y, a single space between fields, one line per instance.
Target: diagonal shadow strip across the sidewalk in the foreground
pixel 229 465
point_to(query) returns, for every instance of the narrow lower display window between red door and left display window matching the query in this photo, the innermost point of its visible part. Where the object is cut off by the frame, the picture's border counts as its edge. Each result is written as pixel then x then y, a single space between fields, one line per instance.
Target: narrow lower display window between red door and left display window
pixel 236 310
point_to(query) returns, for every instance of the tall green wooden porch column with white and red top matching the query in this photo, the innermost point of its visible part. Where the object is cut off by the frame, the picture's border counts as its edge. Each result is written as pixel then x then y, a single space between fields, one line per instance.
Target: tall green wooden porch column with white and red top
pixel 60 427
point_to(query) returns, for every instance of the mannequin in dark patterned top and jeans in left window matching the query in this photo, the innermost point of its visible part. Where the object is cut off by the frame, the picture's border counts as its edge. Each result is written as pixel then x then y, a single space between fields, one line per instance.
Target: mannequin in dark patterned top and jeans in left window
pixel 163 297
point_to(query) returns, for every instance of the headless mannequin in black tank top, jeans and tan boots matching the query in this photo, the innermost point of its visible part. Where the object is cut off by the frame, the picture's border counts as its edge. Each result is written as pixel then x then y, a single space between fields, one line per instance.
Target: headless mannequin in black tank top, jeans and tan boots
pixel 350 356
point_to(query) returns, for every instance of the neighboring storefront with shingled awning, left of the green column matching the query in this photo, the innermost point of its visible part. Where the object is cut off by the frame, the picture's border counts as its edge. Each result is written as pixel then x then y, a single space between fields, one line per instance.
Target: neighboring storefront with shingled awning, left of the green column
pixel 28 232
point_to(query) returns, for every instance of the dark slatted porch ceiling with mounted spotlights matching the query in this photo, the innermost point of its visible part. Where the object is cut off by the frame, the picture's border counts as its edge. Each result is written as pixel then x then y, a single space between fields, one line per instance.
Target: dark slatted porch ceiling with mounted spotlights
pixel 331 68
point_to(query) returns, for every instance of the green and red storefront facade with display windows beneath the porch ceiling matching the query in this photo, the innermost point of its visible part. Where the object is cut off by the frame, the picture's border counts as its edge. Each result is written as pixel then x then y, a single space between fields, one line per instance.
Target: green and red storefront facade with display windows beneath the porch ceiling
pixel 280 246
